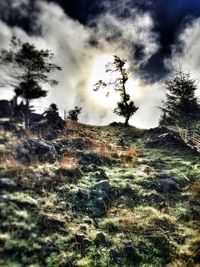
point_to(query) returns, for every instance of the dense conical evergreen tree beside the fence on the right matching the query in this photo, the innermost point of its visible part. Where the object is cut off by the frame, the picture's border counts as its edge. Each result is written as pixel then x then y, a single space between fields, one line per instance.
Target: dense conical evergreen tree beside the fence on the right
pixel 181 107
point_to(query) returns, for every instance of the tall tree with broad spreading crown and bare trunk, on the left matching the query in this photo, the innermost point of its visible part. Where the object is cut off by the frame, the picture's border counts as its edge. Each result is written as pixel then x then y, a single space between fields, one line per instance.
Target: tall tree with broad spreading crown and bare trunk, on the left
pixel 30 69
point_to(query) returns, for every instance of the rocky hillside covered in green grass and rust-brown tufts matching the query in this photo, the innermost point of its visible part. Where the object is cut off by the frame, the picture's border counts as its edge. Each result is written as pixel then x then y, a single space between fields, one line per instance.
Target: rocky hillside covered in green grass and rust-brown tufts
pixel 110 197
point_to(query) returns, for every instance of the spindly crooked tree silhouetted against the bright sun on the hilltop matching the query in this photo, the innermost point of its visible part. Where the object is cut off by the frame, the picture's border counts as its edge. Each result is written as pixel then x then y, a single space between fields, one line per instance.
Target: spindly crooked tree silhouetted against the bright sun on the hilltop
pixel 126 107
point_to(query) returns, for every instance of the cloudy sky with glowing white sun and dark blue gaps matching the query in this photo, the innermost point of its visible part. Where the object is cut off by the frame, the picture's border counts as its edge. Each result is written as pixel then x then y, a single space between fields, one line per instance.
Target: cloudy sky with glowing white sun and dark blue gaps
pixel 154 36
